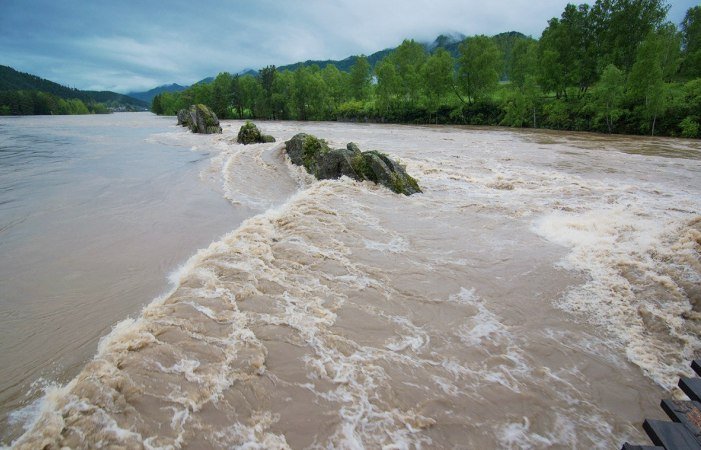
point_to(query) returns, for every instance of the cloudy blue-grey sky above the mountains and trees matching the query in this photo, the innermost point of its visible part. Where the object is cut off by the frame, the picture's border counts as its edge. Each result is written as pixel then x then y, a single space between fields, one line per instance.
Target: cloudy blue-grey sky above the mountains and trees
pixel 126 45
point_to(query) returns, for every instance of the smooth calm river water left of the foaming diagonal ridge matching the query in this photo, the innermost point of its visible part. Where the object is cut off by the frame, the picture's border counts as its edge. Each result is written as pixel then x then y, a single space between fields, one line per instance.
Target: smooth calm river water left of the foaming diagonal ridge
pixel 95 211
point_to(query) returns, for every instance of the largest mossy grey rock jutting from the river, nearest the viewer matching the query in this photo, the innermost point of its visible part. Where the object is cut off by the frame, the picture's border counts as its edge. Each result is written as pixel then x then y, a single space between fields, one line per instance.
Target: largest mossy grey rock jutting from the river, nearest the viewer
pixel 325 163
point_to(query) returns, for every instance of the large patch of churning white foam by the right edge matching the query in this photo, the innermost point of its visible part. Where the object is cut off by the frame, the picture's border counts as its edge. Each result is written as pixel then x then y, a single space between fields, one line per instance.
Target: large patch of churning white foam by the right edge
pixel 626 254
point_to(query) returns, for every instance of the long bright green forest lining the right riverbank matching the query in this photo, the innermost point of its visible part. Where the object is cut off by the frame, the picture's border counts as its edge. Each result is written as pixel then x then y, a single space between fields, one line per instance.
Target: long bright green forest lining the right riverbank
pixel 617 66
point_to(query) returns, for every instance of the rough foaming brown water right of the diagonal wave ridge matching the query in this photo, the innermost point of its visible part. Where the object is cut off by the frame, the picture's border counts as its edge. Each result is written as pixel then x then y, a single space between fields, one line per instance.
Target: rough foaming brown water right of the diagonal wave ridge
pixel 543 291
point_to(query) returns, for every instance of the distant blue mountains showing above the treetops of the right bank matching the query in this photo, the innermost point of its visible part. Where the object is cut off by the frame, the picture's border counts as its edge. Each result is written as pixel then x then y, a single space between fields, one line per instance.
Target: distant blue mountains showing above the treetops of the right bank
pixel 449 42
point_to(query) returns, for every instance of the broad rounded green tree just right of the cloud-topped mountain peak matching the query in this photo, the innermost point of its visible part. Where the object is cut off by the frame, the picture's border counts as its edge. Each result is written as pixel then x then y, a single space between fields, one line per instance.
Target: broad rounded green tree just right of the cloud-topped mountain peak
pixel 479 66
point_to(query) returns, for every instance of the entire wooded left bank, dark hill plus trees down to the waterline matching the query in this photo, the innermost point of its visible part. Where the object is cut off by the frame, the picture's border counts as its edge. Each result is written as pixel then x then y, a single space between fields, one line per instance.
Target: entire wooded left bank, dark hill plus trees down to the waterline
pixel 26 94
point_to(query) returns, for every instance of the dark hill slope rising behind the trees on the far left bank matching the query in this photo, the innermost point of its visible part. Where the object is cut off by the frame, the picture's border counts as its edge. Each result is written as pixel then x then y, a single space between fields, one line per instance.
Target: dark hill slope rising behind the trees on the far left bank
pixel 13 80
